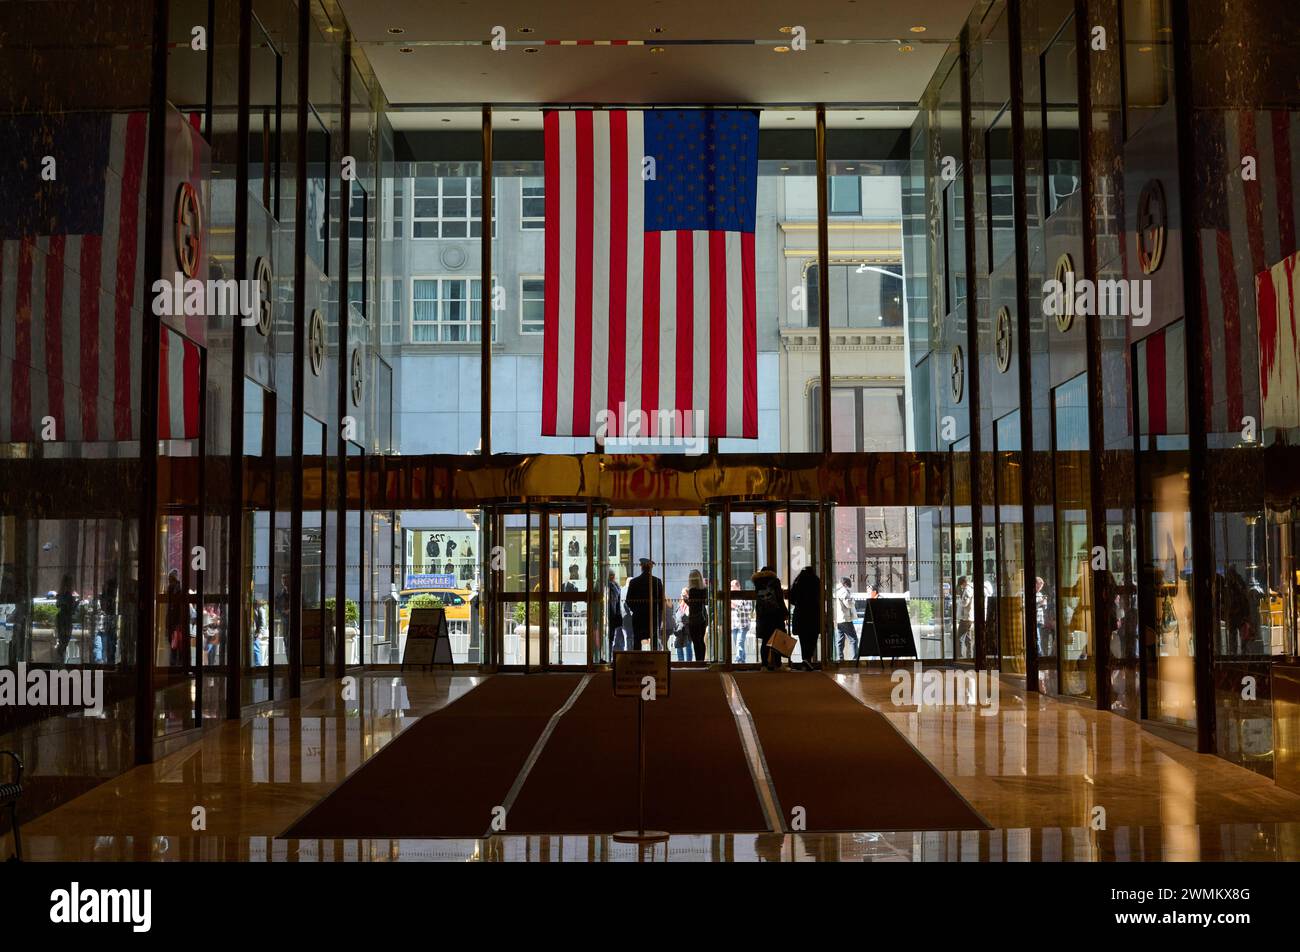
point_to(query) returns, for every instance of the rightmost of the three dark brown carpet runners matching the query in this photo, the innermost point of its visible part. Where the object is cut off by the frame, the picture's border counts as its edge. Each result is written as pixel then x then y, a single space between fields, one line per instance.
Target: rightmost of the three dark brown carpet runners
pixel 846 764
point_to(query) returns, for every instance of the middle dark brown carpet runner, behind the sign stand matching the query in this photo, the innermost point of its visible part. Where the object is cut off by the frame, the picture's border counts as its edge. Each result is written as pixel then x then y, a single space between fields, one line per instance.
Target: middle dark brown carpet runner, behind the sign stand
pixel 697 777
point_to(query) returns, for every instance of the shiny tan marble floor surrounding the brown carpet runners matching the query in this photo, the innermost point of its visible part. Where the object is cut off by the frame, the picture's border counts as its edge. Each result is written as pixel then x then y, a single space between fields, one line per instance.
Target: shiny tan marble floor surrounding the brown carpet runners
pixel 1058 782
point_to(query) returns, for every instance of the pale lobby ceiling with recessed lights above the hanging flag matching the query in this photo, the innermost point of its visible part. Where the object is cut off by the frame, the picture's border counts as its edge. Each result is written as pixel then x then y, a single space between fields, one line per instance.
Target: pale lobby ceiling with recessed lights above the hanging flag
pixel 691 53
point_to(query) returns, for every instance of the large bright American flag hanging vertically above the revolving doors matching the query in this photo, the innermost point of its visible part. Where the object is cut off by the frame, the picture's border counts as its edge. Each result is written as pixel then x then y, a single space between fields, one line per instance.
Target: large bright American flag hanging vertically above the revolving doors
pixel 651 292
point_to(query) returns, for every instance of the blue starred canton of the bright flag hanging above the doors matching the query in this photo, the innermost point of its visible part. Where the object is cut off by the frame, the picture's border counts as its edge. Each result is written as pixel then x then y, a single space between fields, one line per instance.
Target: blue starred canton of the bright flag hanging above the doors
pixel 707 170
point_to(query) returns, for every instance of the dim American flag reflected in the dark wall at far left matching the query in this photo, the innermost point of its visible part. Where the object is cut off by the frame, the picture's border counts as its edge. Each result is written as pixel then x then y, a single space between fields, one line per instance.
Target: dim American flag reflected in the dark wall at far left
pixel 71 278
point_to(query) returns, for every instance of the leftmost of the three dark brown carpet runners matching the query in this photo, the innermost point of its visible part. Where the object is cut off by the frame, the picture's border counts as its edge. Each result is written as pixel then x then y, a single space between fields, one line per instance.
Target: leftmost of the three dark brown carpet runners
pixel 444 774
